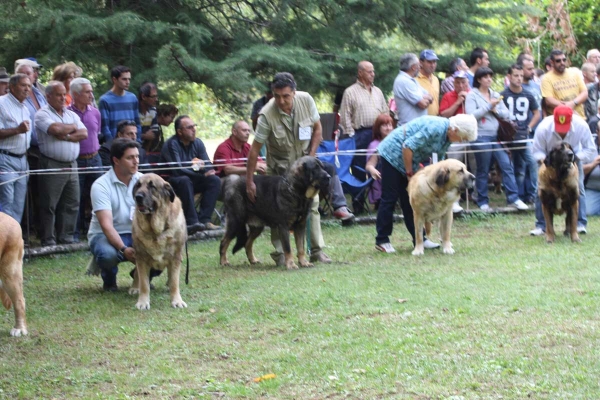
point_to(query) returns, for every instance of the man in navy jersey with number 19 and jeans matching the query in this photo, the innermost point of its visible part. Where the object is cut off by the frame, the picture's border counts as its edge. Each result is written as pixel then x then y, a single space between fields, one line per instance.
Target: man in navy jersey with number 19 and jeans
pixel 524 111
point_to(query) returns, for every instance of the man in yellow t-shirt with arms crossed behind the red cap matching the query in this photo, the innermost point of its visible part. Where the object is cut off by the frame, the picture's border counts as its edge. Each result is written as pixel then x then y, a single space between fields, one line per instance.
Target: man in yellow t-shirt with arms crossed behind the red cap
pixel 563 86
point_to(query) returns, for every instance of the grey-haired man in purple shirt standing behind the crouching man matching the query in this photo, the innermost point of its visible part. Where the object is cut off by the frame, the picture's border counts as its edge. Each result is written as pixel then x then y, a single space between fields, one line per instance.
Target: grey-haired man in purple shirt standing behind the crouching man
pixel 83 97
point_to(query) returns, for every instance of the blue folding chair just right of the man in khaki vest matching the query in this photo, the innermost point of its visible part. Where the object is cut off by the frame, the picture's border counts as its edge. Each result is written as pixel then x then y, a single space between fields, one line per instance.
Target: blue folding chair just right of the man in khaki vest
pixel 351 185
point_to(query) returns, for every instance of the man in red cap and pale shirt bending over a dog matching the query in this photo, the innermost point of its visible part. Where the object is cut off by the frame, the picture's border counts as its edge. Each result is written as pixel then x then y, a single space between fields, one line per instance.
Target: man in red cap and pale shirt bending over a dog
pixel 563 126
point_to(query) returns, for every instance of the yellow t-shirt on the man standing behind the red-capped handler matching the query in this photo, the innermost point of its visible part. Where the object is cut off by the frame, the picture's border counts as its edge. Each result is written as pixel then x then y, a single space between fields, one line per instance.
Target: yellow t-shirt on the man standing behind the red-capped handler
pixel 564 87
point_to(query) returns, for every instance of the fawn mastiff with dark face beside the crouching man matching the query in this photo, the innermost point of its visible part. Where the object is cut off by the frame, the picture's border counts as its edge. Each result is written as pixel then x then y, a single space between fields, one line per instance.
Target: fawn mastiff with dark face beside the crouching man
pixel 159 234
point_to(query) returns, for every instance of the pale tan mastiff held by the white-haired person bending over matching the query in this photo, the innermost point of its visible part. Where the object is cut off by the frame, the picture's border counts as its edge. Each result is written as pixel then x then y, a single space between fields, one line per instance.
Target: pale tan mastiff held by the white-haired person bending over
pixel 432 191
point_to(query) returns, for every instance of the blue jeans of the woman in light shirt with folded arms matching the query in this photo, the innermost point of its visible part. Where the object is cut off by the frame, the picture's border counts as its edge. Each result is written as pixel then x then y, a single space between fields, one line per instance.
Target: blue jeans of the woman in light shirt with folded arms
pixel 484 160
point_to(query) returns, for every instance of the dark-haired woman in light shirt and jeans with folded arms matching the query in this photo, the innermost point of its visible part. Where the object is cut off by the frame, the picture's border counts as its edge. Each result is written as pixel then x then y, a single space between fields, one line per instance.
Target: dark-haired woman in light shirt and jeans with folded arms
pixel 486 105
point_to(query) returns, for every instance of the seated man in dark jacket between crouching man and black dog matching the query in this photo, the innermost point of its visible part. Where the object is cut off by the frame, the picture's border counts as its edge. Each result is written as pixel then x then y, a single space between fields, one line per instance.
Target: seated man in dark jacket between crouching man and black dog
pixel 188 180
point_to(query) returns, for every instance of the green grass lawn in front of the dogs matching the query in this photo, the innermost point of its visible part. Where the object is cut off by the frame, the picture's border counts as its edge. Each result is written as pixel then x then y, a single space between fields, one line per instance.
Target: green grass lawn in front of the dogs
pixel 506 317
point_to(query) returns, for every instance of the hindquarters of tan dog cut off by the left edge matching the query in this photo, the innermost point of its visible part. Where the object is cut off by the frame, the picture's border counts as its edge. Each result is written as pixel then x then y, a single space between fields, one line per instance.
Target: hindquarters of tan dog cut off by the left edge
pixel 11 271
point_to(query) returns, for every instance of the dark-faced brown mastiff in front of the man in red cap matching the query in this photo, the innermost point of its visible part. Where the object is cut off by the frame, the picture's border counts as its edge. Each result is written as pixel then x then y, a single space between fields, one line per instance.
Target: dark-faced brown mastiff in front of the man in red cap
pixel 558 188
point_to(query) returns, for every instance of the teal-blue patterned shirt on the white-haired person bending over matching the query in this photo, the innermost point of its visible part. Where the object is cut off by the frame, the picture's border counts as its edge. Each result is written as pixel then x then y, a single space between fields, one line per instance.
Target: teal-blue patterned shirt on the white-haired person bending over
pixel 424 136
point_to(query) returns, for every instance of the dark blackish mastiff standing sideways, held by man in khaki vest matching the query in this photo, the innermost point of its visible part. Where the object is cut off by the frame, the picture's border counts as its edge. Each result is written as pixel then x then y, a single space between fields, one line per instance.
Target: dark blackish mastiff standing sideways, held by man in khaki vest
pixel 282 203
